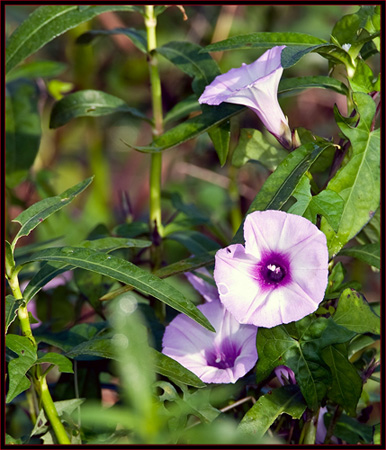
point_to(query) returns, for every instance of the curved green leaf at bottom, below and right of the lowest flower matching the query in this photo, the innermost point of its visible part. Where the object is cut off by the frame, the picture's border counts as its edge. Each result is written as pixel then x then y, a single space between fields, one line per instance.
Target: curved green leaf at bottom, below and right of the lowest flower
pixel 283 400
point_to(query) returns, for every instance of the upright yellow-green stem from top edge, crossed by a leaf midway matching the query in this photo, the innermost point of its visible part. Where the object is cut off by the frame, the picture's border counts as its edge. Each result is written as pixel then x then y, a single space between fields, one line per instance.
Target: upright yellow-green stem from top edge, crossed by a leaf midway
pixel 156 97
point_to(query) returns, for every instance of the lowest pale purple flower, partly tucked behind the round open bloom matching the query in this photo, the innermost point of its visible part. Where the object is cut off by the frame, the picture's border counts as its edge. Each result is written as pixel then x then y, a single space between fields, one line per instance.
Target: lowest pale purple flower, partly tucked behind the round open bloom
pixel 221 357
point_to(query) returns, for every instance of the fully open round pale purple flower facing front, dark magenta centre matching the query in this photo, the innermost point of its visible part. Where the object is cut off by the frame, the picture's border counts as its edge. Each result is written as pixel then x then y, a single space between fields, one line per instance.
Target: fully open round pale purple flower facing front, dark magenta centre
pixel 279 276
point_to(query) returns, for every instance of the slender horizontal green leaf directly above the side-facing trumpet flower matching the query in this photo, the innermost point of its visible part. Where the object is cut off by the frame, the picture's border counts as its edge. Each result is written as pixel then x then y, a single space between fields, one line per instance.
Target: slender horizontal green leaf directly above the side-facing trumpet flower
pixel 263 40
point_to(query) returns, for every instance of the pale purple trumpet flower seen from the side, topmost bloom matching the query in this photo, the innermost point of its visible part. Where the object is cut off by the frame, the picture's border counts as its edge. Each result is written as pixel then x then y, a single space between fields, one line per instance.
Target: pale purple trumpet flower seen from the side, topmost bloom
pixel 255 86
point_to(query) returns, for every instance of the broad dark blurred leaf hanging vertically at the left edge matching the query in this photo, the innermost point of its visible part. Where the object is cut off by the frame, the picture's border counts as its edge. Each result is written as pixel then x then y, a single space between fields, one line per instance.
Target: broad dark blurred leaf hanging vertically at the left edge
pixel 23 130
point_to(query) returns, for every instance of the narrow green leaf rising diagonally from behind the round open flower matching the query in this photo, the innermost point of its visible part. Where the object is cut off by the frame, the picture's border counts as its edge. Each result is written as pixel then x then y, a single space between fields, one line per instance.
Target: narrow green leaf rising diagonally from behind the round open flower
pixel 281 184
